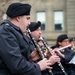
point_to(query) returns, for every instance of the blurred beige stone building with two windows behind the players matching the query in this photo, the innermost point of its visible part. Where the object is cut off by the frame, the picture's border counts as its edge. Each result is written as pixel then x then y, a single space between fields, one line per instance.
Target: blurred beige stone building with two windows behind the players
pixel 57 16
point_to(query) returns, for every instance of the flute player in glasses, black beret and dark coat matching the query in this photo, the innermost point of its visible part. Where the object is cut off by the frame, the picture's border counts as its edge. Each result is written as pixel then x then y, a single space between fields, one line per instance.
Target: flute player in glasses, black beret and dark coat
pixel 65 55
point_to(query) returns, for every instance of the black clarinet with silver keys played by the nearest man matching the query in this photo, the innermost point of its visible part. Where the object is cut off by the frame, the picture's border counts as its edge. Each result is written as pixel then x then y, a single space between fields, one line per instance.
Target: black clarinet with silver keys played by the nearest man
pixel 38 48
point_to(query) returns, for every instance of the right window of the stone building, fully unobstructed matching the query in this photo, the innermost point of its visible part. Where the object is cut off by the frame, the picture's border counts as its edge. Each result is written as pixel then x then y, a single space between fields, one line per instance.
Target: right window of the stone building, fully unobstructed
pixel 59 20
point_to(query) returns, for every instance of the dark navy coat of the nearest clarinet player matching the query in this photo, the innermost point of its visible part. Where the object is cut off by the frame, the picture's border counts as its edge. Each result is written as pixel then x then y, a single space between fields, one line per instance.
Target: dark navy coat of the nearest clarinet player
pixel 15 49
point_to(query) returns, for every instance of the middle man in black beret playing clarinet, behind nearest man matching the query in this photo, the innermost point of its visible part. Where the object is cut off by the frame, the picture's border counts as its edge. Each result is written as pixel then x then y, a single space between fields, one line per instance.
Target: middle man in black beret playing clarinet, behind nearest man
pixel 36 33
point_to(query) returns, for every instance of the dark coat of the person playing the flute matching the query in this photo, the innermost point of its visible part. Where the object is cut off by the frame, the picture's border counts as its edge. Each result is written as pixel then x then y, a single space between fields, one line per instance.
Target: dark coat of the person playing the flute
pixel 65 63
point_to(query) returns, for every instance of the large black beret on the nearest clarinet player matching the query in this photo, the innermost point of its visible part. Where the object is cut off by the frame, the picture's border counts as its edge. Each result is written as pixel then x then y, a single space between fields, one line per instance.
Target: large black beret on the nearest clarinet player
pixel 18 9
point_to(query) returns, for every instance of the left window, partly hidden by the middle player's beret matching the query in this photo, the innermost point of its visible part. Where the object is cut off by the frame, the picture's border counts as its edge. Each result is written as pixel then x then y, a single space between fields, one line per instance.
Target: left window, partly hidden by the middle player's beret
pixel 41 16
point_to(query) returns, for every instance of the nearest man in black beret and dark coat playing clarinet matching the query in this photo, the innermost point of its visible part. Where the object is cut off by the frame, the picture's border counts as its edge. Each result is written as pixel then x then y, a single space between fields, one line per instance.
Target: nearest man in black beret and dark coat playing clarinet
pixel 15 46
